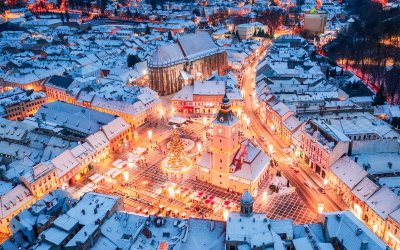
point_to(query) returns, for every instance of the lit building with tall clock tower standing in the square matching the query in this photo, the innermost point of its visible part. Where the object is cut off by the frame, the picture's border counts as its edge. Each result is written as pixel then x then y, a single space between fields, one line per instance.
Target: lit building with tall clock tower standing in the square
pixel 231 164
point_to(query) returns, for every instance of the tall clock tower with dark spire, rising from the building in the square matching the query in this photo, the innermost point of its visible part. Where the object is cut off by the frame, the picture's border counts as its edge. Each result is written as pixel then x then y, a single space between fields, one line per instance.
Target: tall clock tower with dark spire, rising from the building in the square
pixel 225 143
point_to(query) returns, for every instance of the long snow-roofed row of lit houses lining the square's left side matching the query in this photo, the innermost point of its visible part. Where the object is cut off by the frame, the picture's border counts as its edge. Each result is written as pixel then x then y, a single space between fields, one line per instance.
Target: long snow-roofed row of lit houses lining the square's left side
pixel 71 163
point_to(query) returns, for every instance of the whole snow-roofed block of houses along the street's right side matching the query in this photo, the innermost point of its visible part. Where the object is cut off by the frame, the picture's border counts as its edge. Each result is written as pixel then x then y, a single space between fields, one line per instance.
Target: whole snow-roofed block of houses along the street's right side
pixel 336 135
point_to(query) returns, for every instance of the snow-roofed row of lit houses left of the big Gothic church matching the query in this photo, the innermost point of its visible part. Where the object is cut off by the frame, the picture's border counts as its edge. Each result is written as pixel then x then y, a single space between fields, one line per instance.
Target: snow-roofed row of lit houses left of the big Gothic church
pixel 135 104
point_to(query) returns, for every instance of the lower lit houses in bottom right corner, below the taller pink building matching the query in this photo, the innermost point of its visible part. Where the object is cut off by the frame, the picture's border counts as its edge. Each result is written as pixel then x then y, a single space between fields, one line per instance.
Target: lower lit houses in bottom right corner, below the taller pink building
pixel 378 206
